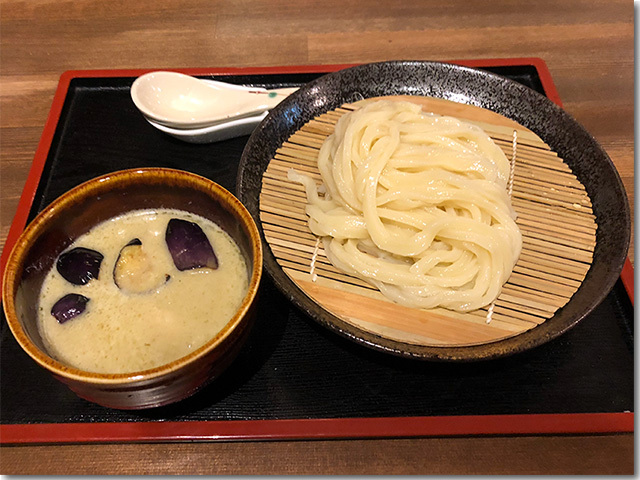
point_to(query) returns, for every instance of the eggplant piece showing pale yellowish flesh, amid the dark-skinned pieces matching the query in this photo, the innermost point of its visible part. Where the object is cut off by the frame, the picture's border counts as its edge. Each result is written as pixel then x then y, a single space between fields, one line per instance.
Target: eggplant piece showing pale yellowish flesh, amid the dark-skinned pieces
pixel 136 272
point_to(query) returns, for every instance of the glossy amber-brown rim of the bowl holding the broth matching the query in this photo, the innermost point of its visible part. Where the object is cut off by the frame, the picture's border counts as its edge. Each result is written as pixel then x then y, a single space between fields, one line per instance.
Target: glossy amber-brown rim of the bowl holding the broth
pixel 104 182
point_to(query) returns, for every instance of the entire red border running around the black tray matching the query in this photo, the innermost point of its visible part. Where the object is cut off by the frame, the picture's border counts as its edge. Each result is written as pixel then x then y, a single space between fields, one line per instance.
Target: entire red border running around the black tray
pixel 288 429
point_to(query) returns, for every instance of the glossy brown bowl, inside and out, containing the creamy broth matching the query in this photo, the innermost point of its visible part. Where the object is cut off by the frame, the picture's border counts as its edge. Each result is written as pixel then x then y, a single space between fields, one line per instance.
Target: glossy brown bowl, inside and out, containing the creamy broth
pixel 77 211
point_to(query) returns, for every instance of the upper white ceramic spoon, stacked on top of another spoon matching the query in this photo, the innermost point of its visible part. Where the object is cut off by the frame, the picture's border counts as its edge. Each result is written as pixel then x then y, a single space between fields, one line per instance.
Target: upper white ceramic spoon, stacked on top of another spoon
pixel 184 102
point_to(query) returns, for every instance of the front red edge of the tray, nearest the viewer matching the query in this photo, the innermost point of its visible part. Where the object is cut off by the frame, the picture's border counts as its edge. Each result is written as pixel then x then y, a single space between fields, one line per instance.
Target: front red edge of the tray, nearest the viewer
pixel 325 428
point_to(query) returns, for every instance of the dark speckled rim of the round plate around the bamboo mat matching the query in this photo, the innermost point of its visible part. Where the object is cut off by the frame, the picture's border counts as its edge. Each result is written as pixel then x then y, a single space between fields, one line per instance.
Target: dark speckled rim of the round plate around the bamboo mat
pixel 558 129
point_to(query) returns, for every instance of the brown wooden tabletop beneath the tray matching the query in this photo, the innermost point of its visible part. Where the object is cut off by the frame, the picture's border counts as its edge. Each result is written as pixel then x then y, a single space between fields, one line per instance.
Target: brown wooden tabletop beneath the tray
pixel 587 45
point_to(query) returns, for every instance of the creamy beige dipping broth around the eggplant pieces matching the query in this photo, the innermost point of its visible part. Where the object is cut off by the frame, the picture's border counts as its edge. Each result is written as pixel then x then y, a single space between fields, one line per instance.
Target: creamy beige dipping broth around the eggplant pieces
pixel 122 331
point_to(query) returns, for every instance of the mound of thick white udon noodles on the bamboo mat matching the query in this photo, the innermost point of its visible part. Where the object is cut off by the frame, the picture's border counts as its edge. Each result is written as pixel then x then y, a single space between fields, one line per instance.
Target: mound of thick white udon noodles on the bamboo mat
pixel 416 204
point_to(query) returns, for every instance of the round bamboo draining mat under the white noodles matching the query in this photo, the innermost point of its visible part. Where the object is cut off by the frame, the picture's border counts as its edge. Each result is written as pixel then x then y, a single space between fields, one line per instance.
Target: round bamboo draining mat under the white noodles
pixel 554 216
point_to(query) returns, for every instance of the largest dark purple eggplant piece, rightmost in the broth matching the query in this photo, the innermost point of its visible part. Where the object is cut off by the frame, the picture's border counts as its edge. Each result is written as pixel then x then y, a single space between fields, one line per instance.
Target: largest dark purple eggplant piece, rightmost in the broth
pixel 189 246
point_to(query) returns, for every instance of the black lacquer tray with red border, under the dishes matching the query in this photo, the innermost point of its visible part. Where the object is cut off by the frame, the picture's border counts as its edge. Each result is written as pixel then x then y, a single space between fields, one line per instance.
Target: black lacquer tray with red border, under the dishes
pixel 295 379
